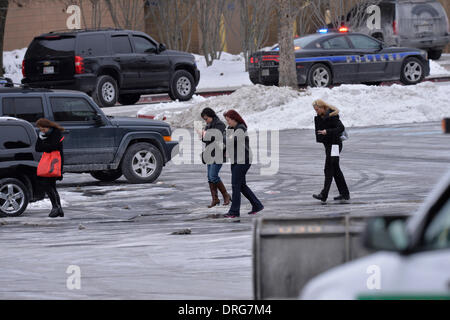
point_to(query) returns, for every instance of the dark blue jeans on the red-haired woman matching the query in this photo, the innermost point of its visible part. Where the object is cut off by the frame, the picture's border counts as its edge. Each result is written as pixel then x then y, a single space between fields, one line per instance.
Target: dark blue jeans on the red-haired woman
pixel 239 184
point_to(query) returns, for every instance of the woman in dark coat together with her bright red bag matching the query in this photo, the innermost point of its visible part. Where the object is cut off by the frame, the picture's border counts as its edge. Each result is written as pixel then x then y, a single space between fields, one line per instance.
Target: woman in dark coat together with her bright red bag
pixel 50 142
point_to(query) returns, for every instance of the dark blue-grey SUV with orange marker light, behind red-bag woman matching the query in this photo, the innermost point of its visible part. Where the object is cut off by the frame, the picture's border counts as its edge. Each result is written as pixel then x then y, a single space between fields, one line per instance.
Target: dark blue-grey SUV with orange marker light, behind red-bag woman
pixel 105 147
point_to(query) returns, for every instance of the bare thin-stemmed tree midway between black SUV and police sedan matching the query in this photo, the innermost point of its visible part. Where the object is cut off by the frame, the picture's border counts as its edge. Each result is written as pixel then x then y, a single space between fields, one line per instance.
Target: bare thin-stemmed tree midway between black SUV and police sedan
pixel 211 17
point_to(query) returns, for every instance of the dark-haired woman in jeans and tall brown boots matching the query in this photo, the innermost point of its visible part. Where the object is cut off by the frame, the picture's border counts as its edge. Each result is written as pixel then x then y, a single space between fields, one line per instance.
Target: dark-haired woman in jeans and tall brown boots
pixel 211 159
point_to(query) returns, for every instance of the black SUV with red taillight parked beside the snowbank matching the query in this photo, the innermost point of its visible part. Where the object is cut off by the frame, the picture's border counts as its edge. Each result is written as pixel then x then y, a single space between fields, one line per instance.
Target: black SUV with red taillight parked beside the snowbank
pixel 110 65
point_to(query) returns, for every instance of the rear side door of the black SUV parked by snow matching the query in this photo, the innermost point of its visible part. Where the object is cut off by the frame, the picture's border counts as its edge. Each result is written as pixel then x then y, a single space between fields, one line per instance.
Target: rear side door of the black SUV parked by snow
pixel 124 56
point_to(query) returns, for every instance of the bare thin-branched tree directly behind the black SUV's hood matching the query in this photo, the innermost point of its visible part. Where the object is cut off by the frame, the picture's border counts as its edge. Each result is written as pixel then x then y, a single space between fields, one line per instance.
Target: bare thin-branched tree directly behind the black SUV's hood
pixel 173 20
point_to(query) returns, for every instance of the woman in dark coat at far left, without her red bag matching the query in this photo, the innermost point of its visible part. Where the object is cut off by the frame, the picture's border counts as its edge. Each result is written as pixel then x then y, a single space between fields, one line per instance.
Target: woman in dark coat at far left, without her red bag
pixel 50 139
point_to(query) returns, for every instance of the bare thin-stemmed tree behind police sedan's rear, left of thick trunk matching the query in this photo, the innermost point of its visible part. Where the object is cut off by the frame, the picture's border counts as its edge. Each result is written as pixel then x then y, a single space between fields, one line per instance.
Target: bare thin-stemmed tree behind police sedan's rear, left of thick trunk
pixel 254 27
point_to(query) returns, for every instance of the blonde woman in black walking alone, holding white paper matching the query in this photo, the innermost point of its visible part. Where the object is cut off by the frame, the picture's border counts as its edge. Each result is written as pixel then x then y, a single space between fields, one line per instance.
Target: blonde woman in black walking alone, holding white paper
pixel 329 129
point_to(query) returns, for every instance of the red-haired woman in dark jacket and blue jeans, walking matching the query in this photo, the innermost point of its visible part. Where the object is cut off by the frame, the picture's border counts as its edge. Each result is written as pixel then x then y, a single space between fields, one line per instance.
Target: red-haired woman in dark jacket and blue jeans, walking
pixel 240 156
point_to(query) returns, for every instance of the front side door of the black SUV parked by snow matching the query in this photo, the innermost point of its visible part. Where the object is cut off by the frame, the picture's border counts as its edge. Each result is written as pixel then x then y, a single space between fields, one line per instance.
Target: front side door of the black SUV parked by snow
pixel 154 67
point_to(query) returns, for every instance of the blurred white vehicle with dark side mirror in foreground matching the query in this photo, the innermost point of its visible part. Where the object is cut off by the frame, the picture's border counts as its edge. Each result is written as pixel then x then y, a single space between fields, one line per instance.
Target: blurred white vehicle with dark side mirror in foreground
pixel 412 259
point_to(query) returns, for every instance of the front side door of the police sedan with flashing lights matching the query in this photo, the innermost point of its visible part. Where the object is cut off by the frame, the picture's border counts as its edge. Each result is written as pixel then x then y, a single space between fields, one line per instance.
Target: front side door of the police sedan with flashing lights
pixel 372 63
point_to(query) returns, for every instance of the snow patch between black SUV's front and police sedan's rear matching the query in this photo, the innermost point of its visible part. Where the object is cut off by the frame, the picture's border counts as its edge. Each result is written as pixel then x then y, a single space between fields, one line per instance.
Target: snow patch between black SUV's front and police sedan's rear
pixel 228 72
